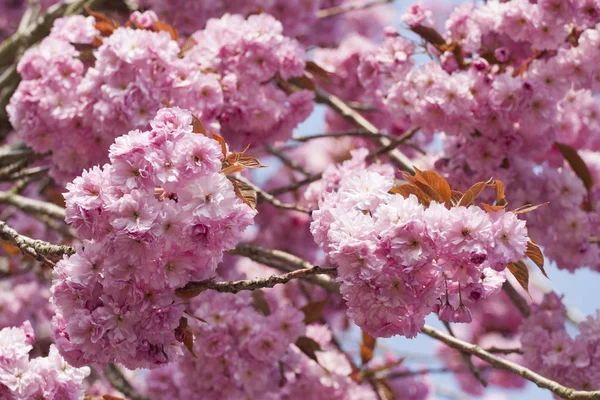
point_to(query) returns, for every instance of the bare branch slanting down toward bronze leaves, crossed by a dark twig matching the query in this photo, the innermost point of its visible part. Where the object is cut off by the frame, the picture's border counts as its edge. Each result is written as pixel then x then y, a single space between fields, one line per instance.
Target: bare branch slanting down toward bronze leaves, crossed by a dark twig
pixel 345 111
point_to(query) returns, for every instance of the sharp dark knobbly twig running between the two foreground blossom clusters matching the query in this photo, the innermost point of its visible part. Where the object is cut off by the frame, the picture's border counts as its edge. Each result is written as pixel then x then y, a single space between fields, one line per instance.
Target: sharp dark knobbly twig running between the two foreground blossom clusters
pixel 254 284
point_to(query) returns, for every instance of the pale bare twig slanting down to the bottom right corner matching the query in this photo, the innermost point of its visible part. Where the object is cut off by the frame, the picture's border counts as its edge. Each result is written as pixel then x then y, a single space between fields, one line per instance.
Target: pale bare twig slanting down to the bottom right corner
pixel 498 362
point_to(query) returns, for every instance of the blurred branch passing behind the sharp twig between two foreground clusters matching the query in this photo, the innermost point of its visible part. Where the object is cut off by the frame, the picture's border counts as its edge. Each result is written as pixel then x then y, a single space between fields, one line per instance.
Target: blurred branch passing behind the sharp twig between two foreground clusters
pixel 284 262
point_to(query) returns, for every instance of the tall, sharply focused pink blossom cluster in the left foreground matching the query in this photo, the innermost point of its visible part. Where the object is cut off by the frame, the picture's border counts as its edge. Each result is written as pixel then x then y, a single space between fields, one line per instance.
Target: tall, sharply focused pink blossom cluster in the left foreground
pixel 158 216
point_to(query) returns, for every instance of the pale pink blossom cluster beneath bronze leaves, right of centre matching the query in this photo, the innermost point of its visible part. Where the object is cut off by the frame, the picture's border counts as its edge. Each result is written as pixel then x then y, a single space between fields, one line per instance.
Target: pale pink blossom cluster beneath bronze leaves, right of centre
pixel 397 260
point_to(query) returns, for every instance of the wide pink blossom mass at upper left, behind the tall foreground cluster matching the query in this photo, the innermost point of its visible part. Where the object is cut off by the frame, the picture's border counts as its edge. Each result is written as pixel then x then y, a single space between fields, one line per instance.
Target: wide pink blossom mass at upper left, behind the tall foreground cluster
pixel 75 106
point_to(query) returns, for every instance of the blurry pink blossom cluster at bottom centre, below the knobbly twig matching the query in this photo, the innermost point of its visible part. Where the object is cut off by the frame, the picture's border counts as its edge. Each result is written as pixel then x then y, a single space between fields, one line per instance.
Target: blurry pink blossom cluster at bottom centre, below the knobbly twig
pixel 238 350
